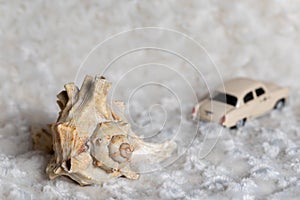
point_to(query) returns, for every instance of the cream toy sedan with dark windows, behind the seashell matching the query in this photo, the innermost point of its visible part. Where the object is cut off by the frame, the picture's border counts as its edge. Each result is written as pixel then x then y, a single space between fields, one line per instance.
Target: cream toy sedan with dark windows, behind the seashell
pixel 239 100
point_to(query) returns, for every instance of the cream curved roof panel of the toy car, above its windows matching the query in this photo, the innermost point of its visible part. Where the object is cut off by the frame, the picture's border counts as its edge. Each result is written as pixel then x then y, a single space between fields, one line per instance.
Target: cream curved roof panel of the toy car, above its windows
pixel 239 86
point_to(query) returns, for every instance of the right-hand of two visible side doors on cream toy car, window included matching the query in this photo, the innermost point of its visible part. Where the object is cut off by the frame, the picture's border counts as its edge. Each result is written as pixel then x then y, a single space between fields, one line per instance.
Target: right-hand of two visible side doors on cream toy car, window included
pixel 262 101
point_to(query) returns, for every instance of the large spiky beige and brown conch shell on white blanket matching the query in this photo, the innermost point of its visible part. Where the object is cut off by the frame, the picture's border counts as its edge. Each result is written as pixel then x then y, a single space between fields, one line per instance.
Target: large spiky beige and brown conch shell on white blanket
pixel 92 141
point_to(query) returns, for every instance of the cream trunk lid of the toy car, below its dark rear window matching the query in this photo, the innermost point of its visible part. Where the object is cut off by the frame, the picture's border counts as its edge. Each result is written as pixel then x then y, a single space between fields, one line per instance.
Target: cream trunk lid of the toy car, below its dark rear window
pixel 214 109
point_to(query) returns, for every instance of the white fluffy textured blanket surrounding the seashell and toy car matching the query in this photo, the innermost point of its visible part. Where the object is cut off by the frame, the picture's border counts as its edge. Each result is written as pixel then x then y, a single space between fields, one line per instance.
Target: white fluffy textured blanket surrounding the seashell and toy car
pixel 43 43
